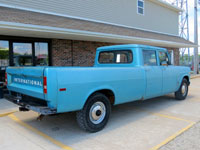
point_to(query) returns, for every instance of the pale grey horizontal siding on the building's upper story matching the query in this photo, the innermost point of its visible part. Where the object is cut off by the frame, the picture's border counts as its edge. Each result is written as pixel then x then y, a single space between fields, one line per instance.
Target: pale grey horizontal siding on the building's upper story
pixel 123 12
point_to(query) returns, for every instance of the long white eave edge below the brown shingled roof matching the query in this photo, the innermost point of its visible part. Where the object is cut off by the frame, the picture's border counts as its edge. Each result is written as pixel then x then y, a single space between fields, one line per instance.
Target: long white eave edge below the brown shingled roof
pixel 7 28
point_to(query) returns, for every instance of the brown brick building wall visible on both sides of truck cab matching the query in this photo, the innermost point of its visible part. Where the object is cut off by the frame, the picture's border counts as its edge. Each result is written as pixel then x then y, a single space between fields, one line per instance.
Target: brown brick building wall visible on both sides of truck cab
pixel 82 52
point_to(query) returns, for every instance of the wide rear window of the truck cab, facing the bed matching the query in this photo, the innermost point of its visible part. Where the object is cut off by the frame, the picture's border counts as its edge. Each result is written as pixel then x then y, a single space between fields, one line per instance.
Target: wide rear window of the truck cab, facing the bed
pixel 116 57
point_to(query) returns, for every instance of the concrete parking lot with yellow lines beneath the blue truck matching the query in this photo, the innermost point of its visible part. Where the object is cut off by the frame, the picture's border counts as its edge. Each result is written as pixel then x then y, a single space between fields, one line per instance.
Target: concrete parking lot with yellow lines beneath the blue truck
pixel 160 123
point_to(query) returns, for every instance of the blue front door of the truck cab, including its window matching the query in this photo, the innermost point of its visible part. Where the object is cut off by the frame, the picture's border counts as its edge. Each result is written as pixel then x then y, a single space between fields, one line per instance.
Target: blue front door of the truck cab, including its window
pixel 168 73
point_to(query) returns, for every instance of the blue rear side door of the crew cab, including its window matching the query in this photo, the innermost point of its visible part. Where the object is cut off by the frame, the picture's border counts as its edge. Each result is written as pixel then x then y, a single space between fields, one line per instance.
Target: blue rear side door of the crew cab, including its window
pixel 153 74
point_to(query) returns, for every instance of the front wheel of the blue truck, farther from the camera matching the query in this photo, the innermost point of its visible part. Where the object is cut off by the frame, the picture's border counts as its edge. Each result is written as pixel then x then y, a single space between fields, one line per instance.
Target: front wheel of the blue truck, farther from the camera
pixel 182 92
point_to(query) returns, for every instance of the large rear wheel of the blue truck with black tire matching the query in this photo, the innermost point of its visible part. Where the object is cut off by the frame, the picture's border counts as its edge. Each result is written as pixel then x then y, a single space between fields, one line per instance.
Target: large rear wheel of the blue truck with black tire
pixel 95 114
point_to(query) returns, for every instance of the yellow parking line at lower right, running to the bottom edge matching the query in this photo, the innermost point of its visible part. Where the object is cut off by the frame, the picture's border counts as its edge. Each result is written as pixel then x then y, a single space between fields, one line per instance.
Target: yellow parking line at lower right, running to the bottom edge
pixel 172 137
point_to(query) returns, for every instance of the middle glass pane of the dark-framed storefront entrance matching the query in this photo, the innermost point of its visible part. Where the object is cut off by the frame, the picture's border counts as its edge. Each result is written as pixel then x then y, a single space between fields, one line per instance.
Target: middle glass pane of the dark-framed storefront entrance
pixel 22 54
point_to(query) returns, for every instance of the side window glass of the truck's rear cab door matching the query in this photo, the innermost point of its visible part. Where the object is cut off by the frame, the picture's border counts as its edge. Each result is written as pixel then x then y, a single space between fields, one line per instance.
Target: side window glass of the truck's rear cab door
pixel 149 58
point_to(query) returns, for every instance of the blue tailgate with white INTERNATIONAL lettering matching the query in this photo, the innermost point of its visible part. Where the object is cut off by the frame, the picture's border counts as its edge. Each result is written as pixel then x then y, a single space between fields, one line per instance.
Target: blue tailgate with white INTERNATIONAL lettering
pixel 26 80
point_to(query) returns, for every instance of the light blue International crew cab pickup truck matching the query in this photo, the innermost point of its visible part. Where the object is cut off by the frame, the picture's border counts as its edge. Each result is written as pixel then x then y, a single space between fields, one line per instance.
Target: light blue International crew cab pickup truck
pixel 121 74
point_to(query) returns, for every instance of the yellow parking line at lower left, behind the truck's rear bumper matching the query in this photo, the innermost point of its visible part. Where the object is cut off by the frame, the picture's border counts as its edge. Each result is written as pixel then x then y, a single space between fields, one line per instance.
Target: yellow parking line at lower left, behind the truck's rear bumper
pixel 61 145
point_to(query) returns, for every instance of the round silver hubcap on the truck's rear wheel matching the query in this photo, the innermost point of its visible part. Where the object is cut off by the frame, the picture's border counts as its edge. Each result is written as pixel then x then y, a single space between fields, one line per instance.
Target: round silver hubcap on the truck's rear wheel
pixel 97 112
